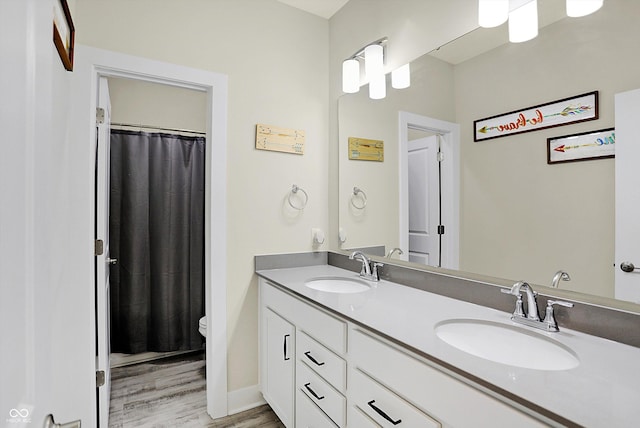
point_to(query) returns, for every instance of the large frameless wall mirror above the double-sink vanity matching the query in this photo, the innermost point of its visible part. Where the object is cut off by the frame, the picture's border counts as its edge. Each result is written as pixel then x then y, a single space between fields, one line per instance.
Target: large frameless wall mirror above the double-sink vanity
pixel 519 217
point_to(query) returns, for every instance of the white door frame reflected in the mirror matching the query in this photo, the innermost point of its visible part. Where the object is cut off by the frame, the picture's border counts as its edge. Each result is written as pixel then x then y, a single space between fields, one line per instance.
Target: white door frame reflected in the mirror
pixel 450 176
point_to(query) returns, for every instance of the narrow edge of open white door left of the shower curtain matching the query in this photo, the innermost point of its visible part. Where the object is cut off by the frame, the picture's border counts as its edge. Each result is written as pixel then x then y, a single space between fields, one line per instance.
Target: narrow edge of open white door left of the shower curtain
pixel 102 258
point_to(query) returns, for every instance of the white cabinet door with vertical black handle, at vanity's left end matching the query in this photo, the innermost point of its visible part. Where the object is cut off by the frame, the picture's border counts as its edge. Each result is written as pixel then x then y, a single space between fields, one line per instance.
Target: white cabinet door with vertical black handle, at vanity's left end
pixel 278 386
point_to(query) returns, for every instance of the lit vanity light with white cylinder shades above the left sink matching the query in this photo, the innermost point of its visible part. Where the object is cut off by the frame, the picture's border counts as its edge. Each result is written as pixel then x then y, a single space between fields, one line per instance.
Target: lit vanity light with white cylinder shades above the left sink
pixel 372 56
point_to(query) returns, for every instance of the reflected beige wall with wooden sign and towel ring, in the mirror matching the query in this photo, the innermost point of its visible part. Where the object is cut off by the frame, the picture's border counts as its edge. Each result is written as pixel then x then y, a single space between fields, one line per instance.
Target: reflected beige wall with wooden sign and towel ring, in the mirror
pixel 430 94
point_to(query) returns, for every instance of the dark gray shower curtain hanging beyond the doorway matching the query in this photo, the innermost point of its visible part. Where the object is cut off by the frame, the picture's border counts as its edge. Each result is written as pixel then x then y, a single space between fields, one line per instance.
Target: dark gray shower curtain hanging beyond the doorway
pixel 156 231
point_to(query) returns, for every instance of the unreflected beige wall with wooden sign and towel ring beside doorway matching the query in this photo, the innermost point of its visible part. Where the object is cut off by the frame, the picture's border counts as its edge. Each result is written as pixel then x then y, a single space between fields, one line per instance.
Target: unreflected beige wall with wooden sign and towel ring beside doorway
pixel 276 58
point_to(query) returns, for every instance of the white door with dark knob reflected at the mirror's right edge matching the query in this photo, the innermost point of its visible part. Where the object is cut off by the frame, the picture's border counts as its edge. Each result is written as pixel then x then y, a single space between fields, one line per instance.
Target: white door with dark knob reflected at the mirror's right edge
pixel 627 193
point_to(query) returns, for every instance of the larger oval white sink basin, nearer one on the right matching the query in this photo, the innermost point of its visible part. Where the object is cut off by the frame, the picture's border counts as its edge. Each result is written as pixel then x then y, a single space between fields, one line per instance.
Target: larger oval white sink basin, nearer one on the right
pixel 506 344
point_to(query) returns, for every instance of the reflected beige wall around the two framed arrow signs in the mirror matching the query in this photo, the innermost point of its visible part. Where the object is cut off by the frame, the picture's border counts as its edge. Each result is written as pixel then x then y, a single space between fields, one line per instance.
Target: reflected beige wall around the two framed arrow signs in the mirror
pixel 522 218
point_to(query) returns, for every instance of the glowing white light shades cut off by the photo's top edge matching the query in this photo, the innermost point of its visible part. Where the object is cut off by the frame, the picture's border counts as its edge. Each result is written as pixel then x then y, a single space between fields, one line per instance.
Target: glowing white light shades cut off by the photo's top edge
pixel 523 15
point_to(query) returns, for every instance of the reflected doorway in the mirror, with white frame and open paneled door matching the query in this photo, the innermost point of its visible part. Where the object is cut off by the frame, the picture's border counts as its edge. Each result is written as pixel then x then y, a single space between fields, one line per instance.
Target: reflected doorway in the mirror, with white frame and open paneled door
pixel 429 190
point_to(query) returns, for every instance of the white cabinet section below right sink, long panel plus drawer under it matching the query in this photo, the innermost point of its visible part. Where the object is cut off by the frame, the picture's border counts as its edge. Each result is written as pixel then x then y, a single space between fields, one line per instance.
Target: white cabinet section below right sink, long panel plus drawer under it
pixel 382 372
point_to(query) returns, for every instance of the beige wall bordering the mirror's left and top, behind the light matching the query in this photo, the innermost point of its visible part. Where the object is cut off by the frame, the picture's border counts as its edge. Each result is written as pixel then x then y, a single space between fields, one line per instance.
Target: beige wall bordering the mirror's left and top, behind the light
pixel 413 27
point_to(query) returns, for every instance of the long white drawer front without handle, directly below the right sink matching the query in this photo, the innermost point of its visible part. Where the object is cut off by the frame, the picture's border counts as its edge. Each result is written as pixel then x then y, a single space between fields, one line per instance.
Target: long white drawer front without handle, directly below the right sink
pixel 429 389
